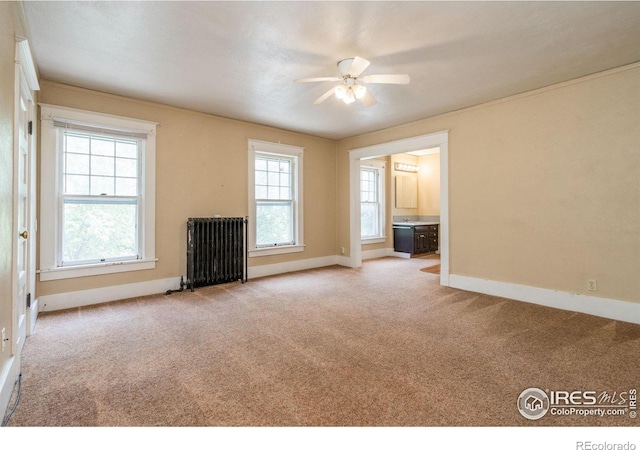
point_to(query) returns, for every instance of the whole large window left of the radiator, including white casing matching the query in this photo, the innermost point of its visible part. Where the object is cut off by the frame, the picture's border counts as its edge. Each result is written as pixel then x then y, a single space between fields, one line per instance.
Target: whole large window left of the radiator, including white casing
pixel 97 194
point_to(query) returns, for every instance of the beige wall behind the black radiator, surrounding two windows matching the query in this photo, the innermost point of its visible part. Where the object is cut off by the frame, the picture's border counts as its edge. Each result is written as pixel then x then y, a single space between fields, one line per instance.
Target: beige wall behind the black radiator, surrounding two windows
pixel 201 170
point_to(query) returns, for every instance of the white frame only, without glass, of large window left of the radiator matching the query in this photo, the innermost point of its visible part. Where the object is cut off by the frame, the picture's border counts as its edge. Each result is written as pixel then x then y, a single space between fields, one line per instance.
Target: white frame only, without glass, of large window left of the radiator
pixel 50 213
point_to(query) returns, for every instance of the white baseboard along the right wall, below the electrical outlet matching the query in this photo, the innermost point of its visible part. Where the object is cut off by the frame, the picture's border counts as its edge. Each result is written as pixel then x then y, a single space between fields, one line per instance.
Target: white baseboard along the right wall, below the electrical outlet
pixel 596 306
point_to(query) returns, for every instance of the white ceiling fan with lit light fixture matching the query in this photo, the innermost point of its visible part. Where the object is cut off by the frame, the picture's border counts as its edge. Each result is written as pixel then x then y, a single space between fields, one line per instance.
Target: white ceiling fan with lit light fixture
pixel 352 87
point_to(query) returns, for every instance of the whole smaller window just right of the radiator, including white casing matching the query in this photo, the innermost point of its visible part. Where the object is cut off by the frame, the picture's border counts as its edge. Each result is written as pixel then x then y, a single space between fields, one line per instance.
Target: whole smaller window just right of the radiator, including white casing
pixel 275 193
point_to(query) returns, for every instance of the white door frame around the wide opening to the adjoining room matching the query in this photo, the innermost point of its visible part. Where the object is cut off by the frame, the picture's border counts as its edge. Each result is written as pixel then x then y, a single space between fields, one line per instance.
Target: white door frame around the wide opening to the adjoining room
pixel 439 139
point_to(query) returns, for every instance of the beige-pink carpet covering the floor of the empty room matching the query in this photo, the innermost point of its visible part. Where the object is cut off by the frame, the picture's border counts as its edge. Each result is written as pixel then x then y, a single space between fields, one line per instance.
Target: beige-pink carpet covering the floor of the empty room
pixel 384 345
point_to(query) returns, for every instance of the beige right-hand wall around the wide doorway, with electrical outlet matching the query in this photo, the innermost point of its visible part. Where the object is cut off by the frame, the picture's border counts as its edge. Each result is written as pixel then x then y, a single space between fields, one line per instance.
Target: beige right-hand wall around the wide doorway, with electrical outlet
pixel 544 188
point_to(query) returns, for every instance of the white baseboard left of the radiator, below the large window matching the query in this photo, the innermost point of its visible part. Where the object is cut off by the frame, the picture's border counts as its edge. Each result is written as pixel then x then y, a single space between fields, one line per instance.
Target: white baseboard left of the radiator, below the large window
pixel 106 294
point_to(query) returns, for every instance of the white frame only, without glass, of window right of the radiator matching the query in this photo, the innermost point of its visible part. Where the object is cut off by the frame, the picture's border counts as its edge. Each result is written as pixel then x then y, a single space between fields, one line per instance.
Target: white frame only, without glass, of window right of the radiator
pixel 284 150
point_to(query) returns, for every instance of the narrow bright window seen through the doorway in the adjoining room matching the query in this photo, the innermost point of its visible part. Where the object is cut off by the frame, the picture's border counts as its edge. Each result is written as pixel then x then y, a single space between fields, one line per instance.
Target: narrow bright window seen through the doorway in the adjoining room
pixel 372 208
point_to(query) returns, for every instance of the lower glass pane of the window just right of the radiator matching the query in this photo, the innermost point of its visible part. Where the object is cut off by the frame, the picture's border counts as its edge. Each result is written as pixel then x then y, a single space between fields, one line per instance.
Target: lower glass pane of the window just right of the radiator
pixel 274 223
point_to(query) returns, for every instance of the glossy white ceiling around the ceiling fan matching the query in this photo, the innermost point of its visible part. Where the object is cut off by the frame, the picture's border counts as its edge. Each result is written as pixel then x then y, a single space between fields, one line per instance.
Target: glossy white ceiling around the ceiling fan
pixel 239 59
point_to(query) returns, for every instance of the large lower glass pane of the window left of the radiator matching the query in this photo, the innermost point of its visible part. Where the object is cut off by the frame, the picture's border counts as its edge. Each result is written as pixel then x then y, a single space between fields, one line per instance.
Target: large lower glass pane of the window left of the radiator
pixel 94 232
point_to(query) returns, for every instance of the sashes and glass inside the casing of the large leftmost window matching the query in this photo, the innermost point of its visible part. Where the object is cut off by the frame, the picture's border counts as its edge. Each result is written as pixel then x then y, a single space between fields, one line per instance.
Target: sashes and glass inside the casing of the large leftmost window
pixel 100 198
